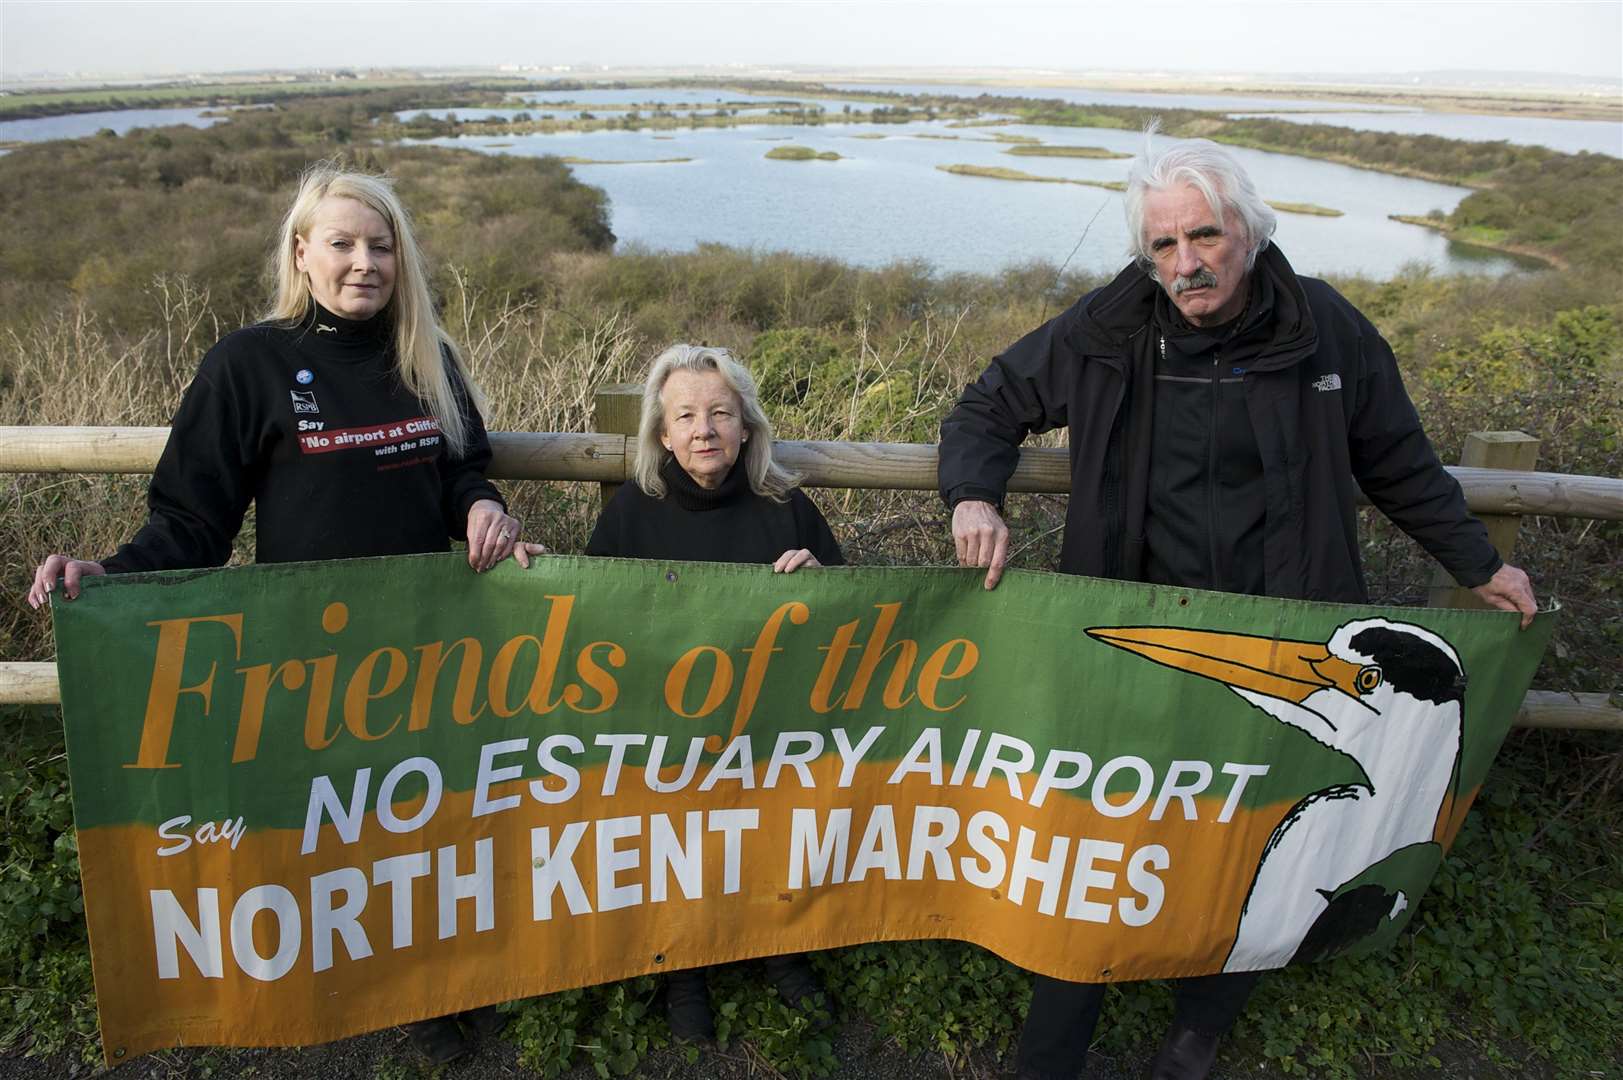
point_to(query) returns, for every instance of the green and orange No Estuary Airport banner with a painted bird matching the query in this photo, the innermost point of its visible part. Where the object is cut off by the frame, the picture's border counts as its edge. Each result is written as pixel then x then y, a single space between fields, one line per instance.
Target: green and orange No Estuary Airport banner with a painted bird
pixel 321 800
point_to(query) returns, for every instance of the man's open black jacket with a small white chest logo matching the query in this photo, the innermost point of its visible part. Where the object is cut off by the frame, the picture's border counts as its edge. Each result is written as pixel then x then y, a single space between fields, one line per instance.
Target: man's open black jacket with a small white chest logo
pixel 1327 407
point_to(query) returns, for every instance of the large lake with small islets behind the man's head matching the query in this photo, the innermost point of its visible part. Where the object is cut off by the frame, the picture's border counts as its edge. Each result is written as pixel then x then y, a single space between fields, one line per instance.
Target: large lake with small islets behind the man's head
pixel 889 202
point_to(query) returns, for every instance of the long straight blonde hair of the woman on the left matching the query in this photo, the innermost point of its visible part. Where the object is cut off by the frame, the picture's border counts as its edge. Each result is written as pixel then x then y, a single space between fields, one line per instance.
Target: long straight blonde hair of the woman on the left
pixel 421 345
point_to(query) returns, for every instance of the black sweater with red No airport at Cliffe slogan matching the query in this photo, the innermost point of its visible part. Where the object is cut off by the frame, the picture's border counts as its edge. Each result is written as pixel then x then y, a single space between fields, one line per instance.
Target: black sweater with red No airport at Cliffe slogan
pixel 312 425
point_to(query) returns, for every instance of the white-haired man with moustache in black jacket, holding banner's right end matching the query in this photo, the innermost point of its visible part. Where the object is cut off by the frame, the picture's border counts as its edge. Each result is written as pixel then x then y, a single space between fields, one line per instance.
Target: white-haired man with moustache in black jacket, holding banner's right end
pixel 1223 415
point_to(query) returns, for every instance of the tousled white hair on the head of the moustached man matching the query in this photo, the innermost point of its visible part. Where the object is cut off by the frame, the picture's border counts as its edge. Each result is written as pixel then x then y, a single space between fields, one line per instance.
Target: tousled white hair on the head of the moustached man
pixel 1210 170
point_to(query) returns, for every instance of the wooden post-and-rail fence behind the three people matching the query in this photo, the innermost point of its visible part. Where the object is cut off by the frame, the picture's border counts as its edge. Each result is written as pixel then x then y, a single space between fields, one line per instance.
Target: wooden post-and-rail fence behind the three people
pixel 609 459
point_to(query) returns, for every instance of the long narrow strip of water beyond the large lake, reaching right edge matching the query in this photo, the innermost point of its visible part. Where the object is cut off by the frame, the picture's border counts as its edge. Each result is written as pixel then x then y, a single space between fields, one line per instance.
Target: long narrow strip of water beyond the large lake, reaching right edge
pixel 1570 137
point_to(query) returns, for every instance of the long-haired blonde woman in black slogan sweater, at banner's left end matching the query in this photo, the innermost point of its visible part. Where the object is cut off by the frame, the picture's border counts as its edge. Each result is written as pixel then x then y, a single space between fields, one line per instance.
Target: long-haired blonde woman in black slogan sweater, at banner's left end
pixel 347 418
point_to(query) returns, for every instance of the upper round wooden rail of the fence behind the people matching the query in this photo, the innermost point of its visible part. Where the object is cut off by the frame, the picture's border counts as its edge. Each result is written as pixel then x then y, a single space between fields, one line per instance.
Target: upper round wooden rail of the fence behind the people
pixel 872 465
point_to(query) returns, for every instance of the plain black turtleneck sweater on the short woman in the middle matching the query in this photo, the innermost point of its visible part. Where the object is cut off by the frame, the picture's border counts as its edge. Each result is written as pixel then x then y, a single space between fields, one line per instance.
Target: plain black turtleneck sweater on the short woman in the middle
pixel 730 524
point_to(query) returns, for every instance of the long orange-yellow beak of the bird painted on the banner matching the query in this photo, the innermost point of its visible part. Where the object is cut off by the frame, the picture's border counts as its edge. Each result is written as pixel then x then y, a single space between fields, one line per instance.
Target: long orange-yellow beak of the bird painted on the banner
pixel 1281 670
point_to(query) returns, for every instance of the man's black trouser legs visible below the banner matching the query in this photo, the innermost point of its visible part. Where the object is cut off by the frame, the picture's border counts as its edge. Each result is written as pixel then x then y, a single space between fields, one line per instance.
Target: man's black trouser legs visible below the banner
pixel 1061 1024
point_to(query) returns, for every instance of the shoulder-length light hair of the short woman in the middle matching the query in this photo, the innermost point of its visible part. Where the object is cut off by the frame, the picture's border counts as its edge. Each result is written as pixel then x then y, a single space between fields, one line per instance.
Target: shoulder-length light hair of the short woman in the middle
pixel 767 477
